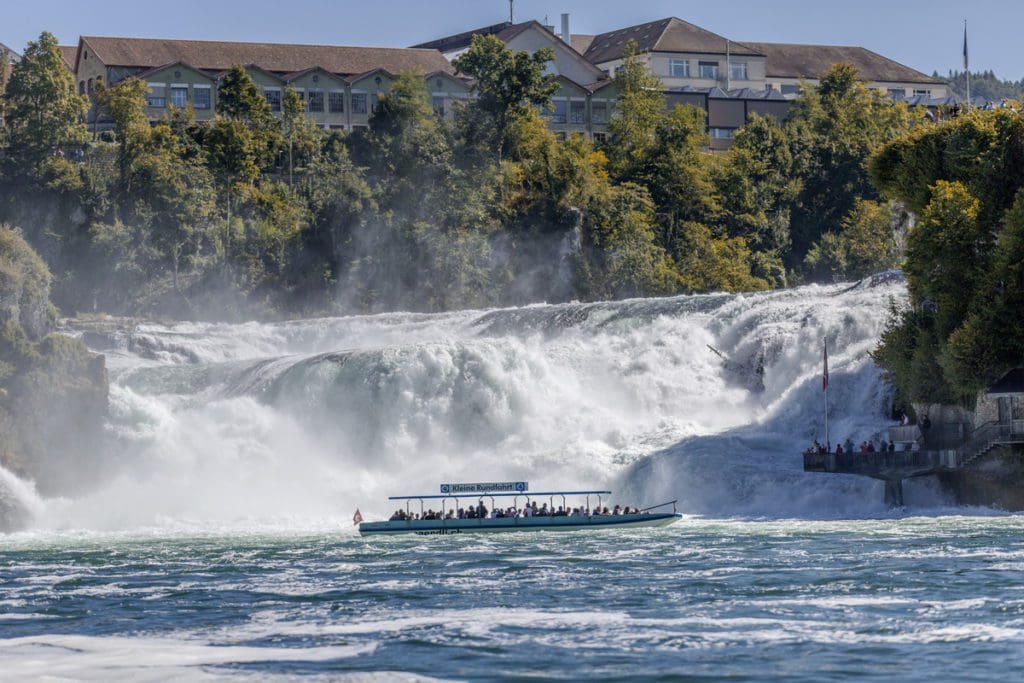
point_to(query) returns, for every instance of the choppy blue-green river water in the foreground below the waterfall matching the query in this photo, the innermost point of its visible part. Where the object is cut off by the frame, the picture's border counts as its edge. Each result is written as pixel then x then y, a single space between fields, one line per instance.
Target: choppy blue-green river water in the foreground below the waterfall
pixel 902 599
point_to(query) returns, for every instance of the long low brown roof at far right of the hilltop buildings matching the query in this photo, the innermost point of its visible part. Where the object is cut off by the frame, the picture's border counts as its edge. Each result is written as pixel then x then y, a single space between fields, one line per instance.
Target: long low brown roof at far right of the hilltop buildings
pixel 788 61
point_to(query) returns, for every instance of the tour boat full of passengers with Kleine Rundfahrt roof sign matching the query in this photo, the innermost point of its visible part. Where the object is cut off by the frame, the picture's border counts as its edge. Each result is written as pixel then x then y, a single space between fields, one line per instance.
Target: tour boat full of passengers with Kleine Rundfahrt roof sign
pixel 454 497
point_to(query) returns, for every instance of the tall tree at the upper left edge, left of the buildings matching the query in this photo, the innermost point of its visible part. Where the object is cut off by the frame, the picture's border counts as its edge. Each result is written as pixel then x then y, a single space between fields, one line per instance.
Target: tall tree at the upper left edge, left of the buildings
pixel 44 111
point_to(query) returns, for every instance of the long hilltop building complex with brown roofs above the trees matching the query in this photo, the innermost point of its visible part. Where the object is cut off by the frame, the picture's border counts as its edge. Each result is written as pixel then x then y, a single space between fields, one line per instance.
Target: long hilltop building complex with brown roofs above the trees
pixel 342 86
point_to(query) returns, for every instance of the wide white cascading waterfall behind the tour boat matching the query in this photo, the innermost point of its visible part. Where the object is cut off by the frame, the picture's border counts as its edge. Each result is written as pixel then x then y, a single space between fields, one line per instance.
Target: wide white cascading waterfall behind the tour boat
pixel 301 423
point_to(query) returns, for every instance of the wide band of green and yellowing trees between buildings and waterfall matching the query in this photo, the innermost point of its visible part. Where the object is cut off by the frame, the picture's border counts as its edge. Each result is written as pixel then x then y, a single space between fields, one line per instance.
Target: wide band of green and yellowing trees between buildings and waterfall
pixel 254 216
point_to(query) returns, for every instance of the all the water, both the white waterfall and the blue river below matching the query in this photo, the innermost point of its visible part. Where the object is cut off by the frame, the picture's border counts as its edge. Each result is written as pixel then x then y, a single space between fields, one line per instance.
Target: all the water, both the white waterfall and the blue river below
pixel 214 538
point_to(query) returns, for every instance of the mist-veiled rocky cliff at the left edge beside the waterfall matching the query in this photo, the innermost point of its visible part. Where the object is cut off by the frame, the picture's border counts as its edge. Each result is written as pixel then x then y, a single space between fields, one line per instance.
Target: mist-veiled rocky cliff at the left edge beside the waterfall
pixel 54 392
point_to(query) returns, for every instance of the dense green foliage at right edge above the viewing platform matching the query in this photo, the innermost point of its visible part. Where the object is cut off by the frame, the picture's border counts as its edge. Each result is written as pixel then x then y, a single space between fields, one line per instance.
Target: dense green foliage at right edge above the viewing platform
pixel 963 262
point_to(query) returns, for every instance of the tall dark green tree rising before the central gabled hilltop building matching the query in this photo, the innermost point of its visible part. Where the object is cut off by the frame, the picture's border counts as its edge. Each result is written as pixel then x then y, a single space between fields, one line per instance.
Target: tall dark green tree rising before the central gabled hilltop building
pixel 507 86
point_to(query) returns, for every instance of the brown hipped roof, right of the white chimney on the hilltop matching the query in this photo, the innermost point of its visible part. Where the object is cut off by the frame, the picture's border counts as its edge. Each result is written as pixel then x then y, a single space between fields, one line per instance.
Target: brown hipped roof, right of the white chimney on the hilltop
pixel 668 35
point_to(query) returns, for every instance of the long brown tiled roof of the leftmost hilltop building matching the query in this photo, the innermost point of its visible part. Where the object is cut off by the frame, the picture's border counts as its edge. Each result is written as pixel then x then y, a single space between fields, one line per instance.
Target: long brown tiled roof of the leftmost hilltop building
pixel 280 59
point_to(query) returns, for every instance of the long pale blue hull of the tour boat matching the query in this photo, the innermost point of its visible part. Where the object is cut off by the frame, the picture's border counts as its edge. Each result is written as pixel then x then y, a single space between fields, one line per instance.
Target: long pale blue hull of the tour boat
pixel 571 524
